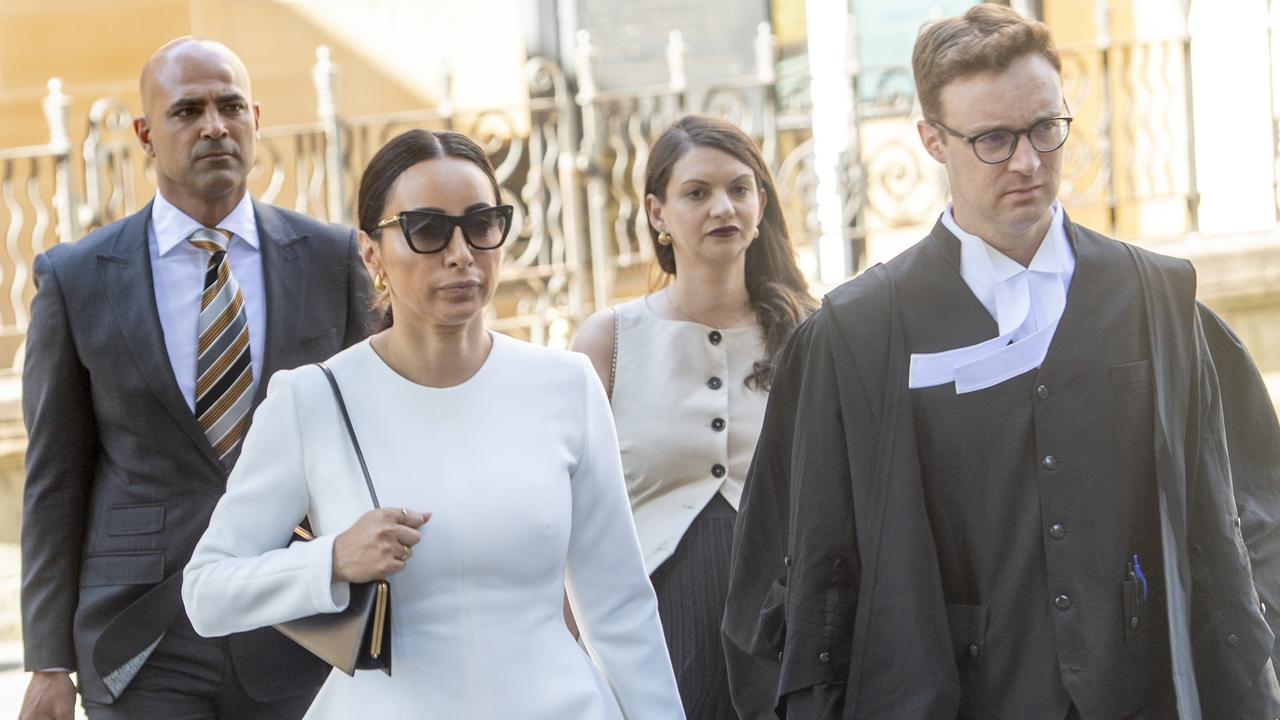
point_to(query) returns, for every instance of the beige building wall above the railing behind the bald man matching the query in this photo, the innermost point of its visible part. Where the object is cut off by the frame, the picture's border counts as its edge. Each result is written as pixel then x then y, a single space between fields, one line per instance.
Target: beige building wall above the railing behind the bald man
pixel 394 54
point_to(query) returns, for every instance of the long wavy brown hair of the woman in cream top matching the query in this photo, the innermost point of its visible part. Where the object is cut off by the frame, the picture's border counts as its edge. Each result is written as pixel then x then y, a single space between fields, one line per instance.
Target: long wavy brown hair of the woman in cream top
pixel 778 290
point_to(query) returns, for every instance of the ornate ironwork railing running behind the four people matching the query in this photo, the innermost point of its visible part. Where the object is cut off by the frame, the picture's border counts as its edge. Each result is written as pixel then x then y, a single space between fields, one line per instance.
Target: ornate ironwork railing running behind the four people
pixel 573 160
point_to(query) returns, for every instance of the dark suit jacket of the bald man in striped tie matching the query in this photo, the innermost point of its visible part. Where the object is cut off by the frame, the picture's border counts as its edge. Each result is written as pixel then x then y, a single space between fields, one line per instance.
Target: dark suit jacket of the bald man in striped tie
pixel 121 479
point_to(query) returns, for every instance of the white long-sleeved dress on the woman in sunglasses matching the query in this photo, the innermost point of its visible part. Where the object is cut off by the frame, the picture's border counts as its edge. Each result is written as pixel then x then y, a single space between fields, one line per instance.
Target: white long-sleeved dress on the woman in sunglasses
pixel 520 468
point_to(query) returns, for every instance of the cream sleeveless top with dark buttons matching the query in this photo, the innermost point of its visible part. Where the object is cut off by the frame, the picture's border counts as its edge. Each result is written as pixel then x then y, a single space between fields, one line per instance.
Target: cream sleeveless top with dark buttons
pixel 687 421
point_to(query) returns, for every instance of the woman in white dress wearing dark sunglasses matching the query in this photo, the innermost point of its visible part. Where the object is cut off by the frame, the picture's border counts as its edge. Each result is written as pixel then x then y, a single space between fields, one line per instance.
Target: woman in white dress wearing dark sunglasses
pixel 497 467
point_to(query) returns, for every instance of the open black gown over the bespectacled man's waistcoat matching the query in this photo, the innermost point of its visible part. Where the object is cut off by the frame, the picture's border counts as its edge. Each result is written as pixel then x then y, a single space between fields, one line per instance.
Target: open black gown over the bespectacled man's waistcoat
pixel 835 605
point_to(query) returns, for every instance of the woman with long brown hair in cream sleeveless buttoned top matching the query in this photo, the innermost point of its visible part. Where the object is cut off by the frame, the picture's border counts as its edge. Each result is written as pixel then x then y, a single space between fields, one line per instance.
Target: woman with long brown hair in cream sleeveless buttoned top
pixel 689 371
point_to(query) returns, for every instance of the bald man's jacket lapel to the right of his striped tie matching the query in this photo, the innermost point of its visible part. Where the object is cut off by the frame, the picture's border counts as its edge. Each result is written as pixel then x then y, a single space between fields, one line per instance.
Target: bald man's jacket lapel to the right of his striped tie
pixel 285 279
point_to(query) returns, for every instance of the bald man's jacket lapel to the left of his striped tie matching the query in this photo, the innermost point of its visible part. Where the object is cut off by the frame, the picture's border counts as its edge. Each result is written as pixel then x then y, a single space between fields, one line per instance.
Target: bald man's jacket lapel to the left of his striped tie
pixel 126 274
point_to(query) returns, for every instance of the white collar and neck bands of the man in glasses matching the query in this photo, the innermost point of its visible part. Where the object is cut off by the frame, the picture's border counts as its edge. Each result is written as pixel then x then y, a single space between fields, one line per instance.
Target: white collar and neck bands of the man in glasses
pixel 1026 303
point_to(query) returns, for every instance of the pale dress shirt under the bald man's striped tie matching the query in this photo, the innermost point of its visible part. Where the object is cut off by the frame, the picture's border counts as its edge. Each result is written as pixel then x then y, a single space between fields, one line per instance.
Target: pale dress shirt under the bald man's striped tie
pixel 179 276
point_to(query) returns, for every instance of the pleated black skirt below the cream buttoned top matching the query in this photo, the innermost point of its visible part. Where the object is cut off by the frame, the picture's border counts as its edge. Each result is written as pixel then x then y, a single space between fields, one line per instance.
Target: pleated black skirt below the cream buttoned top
pixel 692 587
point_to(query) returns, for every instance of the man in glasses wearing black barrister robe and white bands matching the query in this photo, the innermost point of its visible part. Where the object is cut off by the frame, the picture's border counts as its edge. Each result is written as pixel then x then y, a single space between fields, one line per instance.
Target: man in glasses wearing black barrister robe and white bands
pixel 1017 472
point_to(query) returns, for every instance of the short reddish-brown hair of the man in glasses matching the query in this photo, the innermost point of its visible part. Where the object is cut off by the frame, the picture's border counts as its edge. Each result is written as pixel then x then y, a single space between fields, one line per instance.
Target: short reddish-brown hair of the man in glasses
pixel 986 39
